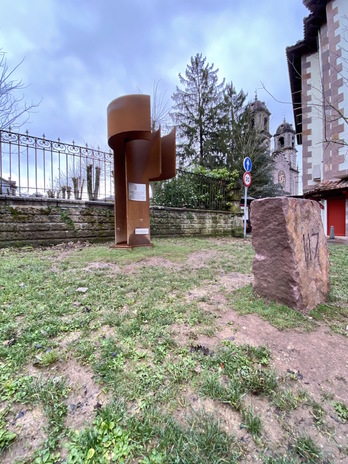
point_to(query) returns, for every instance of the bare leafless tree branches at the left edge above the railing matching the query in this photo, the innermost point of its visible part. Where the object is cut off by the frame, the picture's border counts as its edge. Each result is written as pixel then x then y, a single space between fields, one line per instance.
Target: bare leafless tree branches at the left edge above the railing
pixel 12 105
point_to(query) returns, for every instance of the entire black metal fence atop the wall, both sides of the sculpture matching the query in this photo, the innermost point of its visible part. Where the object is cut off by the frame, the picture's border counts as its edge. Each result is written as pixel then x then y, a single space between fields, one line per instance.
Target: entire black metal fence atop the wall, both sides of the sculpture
pixel 36 167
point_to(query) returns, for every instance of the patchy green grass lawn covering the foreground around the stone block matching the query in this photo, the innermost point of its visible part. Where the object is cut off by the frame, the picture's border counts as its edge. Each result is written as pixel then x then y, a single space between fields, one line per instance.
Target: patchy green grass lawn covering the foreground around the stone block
pixel 103 359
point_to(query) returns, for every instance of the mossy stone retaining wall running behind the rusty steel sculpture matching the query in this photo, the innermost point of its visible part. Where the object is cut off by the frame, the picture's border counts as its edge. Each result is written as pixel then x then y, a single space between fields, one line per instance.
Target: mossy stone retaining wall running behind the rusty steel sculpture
pixel 31 221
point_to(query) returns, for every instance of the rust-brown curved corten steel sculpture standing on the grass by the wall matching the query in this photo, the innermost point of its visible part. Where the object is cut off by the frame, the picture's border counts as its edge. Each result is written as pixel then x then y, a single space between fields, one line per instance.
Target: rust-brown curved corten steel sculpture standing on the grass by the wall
pixel 140 156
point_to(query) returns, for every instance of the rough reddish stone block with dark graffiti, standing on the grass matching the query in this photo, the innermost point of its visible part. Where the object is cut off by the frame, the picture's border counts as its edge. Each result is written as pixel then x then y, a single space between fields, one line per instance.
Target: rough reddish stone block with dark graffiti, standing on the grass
pixel 291 265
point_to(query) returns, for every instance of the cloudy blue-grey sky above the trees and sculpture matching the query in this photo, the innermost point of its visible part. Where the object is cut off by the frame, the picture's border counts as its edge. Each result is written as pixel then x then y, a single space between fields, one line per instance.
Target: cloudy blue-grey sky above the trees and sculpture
pixel 81 54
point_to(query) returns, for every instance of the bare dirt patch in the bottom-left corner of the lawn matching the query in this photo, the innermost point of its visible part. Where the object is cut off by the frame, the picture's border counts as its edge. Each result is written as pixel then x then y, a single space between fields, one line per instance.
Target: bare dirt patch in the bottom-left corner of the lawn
pixel 28 424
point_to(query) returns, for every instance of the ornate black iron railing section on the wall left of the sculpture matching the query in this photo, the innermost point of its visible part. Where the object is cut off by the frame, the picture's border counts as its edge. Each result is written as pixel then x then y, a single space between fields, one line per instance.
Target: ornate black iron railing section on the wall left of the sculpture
pixel 35 166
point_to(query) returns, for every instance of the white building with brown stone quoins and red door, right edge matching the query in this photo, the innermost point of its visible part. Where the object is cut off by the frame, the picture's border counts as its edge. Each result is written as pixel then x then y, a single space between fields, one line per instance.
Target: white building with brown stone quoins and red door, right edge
pixel 318 71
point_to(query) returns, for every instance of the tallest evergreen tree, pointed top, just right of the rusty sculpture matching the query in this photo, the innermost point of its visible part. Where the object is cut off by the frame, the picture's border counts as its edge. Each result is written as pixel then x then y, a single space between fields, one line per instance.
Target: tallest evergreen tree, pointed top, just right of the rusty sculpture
pixel 197 113
